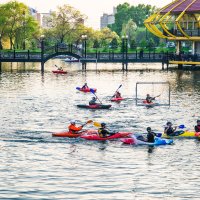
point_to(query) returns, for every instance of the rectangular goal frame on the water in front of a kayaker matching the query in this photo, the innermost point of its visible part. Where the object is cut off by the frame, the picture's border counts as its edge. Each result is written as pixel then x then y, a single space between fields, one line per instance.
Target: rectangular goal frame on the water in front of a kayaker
pixel 159 90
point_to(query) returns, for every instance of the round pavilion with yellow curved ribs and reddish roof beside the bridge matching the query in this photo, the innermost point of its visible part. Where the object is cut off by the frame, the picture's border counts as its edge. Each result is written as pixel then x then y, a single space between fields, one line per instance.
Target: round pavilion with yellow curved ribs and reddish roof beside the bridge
pixel 178 21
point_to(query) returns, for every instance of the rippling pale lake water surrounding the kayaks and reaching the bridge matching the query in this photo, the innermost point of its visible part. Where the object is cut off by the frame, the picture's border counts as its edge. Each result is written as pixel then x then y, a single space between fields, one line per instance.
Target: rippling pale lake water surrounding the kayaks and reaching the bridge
pixel 36 166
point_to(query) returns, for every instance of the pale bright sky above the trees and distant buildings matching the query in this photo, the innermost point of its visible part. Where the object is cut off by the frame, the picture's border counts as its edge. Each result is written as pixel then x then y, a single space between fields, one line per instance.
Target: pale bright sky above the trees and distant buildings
pixel 93 9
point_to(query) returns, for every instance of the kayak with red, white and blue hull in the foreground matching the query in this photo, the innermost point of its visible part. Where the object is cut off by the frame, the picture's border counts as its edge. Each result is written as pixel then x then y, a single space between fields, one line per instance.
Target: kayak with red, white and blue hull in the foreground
pixel 135 141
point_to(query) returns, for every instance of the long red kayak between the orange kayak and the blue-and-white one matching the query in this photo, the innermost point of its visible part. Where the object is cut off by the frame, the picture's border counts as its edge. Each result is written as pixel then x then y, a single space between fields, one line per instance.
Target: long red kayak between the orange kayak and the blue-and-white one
pixel 97 137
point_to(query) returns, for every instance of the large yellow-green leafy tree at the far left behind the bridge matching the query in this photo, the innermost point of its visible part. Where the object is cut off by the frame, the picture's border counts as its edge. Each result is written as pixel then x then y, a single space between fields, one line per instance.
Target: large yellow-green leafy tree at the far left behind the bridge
pixel 16 23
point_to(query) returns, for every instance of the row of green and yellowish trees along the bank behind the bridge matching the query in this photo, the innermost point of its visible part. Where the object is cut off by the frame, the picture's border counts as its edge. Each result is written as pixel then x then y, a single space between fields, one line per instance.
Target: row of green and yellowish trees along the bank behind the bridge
pixel 20 30
